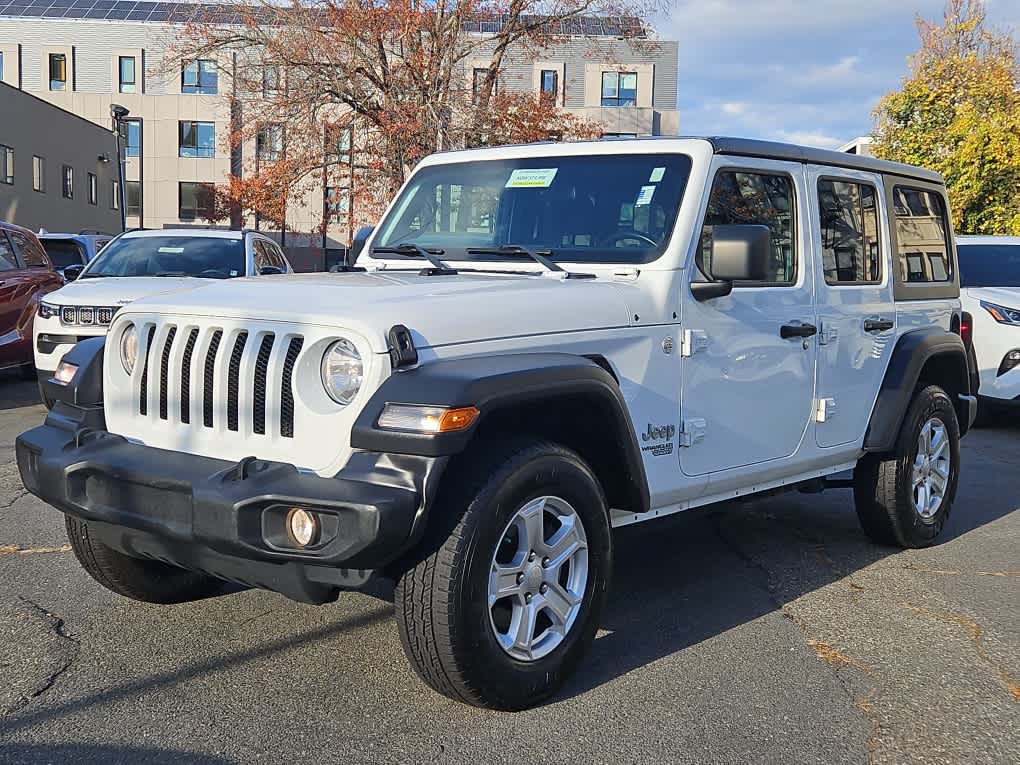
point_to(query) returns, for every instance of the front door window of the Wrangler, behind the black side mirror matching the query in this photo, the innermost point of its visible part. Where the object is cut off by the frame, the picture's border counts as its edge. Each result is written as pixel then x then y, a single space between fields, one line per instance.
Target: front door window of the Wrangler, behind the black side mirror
pixel 741 197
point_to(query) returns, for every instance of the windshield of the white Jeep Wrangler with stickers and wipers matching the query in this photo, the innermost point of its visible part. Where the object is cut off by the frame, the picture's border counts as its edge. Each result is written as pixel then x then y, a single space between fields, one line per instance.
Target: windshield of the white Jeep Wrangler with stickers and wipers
pixel 604 209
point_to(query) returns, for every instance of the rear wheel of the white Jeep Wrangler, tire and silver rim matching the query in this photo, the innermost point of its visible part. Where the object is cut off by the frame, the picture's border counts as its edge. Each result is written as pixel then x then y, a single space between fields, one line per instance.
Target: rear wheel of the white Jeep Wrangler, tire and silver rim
pixel 888 503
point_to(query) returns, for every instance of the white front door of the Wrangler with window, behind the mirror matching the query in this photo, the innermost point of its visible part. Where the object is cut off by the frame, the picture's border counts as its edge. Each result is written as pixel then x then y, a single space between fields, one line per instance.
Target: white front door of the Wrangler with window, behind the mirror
pixel 747 389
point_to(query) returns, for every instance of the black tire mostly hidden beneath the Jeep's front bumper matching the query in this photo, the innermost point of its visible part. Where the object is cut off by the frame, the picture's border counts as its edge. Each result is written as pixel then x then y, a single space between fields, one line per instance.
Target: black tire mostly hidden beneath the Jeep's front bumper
pixel 147 581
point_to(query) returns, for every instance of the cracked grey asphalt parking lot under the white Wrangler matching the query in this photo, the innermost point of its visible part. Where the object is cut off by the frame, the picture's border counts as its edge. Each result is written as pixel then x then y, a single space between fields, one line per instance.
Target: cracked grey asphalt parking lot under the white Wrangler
pixel 762 632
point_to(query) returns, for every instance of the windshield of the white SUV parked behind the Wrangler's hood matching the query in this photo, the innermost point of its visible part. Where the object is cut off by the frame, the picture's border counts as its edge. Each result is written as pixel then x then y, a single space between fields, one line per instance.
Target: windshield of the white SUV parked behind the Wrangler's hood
pixel 212 258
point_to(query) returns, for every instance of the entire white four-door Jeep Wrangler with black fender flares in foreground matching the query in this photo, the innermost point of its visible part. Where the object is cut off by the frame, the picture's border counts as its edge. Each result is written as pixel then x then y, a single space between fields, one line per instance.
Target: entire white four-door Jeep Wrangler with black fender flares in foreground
pixel 538 344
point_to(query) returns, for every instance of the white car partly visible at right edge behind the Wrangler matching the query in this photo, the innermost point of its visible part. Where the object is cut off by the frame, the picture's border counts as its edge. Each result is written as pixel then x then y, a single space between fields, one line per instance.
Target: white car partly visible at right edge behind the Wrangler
pixel 990 278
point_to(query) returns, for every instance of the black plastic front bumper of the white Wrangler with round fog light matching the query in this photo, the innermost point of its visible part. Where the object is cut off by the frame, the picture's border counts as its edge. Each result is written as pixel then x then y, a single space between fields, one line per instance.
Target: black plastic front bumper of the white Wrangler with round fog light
pixel 228 520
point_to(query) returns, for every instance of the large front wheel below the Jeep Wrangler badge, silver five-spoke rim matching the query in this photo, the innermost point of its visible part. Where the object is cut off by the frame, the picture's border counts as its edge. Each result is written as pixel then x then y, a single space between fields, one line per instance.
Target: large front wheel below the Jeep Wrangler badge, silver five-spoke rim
pixel 449 631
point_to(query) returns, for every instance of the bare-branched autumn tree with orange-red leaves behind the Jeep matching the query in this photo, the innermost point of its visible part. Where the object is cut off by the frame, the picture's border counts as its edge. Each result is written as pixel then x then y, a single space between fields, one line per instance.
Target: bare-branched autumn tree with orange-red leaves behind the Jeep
pixel 363 90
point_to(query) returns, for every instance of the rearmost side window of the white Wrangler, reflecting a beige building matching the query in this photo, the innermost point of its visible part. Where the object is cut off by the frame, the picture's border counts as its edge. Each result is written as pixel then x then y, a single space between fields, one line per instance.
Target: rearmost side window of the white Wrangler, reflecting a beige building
pixel 922 226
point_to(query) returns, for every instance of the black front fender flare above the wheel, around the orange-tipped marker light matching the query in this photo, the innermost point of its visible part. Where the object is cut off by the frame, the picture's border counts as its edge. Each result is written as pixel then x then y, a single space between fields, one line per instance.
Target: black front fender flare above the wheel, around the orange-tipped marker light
pixel 495 384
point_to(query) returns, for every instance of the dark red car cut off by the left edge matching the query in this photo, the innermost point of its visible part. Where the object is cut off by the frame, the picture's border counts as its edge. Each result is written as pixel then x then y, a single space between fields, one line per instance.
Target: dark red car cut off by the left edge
pixel 26 275
